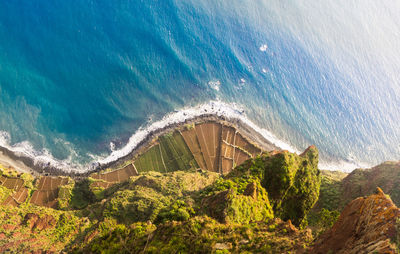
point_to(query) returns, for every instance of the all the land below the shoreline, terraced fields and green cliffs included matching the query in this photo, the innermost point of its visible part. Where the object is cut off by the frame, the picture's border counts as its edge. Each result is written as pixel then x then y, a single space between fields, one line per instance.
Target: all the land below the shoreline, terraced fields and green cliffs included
pixel 203 188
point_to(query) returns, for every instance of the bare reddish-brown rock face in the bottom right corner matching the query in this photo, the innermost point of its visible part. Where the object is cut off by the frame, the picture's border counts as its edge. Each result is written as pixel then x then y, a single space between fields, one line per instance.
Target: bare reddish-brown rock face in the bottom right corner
pixel 366 225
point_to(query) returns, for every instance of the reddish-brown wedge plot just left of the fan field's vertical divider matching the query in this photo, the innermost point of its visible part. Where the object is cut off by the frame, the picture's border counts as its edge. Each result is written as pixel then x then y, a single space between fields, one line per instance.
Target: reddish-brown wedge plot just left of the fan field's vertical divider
pixel 209 136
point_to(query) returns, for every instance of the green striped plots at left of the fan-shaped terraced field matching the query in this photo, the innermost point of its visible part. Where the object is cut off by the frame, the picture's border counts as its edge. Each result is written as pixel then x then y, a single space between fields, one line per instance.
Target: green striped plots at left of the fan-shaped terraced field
pixel 170 154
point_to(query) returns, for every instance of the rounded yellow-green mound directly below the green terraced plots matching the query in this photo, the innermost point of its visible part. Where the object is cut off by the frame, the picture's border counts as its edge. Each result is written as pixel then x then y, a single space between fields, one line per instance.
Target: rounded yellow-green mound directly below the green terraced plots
pixel 146 196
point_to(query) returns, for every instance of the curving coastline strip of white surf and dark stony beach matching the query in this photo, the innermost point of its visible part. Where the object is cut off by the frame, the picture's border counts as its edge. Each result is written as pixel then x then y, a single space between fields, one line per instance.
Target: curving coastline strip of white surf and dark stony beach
pixel 42 163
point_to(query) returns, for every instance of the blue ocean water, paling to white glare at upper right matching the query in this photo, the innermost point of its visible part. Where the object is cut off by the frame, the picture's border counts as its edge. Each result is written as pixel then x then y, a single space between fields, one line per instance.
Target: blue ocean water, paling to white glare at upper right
pixel 75 76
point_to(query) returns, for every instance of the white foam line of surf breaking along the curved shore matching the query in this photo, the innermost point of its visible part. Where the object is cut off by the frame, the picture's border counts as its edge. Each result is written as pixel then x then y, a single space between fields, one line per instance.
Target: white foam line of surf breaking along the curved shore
pixel 229 111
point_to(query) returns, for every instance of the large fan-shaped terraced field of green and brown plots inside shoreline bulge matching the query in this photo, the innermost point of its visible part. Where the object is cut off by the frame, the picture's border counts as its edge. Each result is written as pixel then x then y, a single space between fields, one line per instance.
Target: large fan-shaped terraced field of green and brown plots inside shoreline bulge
pixel 210 146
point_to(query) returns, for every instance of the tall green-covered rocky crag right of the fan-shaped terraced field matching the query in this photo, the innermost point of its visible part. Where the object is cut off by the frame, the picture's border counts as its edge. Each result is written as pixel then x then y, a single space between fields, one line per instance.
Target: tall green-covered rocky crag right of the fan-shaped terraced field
pixel 292 181
